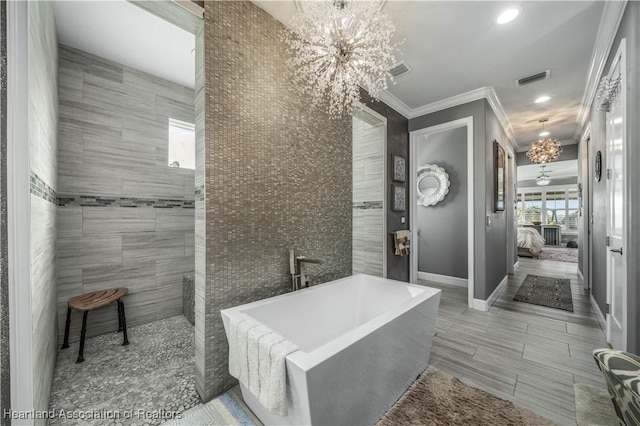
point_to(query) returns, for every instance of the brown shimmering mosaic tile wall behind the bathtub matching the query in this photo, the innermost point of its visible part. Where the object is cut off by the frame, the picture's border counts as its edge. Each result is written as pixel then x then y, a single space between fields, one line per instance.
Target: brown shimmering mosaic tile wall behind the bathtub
pixel 278 175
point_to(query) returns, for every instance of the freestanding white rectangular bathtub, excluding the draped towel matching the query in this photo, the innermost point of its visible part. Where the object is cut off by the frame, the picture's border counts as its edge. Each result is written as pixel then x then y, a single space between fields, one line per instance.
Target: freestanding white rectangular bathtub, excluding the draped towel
pixel 363 340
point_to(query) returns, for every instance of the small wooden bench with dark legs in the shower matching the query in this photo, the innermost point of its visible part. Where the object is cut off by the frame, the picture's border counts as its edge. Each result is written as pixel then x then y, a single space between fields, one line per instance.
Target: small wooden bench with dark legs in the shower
pixel 90 301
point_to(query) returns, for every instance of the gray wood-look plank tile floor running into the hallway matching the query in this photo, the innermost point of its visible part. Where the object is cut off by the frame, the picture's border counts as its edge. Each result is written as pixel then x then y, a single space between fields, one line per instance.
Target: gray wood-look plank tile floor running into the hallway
pixel 529 354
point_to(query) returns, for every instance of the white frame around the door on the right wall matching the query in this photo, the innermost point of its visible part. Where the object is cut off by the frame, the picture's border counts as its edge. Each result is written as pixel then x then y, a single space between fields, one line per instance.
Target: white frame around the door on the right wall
pixel 619 60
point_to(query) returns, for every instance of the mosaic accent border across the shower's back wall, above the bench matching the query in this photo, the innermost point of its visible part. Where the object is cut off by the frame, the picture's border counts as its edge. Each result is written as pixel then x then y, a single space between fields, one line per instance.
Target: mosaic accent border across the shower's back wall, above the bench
pixel 98 201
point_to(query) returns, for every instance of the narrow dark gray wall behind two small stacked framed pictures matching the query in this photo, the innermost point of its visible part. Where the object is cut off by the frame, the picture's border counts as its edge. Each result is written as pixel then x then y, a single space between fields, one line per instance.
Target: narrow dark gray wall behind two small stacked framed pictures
pixel 397 143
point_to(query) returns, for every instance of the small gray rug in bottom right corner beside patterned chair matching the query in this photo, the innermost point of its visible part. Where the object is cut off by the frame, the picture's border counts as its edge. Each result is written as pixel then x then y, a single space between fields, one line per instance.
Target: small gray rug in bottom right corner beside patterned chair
pixel 593 406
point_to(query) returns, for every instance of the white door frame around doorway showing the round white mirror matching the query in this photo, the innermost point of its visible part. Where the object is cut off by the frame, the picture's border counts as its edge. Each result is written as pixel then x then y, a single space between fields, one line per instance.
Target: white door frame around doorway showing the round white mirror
pixel 413 198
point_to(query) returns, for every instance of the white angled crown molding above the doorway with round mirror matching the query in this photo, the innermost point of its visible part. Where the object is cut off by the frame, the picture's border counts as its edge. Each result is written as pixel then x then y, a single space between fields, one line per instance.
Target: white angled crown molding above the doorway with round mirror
pixel 486 92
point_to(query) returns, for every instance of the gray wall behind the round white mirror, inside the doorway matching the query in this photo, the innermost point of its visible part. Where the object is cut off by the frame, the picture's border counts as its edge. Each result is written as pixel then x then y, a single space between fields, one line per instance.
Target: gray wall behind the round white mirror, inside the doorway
pixel 442 229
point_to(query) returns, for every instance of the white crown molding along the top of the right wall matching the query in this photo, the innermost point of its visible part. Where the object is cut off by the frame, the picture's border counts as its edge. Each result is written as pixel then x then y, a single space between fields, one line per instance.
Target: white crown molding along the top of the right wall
pixel 609 24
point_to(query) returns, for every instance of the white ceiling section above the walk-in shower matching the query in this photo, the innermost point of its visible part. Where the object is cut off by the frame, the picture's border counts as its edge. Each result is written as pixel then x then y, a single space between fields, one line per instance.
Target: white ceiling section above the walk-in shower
pixel 122 32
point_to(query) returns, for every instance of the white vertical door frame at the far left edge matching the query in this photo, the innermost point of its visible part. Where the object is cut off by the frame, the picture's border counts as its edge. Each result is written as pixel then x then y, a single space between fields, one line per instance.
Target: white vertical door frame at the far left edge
pixel 19 210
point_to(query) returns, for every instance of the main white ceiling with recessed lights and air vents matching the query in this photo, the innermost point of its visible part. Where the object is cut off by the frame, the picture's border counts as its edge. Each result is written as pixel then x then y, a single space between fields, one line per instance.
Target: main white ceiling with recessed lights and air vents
pixel 455 47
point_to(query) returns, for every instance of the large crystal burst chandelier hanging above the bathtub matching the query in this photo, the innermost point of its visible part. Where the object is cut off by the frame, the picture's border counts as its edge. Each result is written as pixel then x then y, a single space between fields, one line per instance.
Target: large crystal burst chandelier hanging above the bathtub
pixel 339 46
